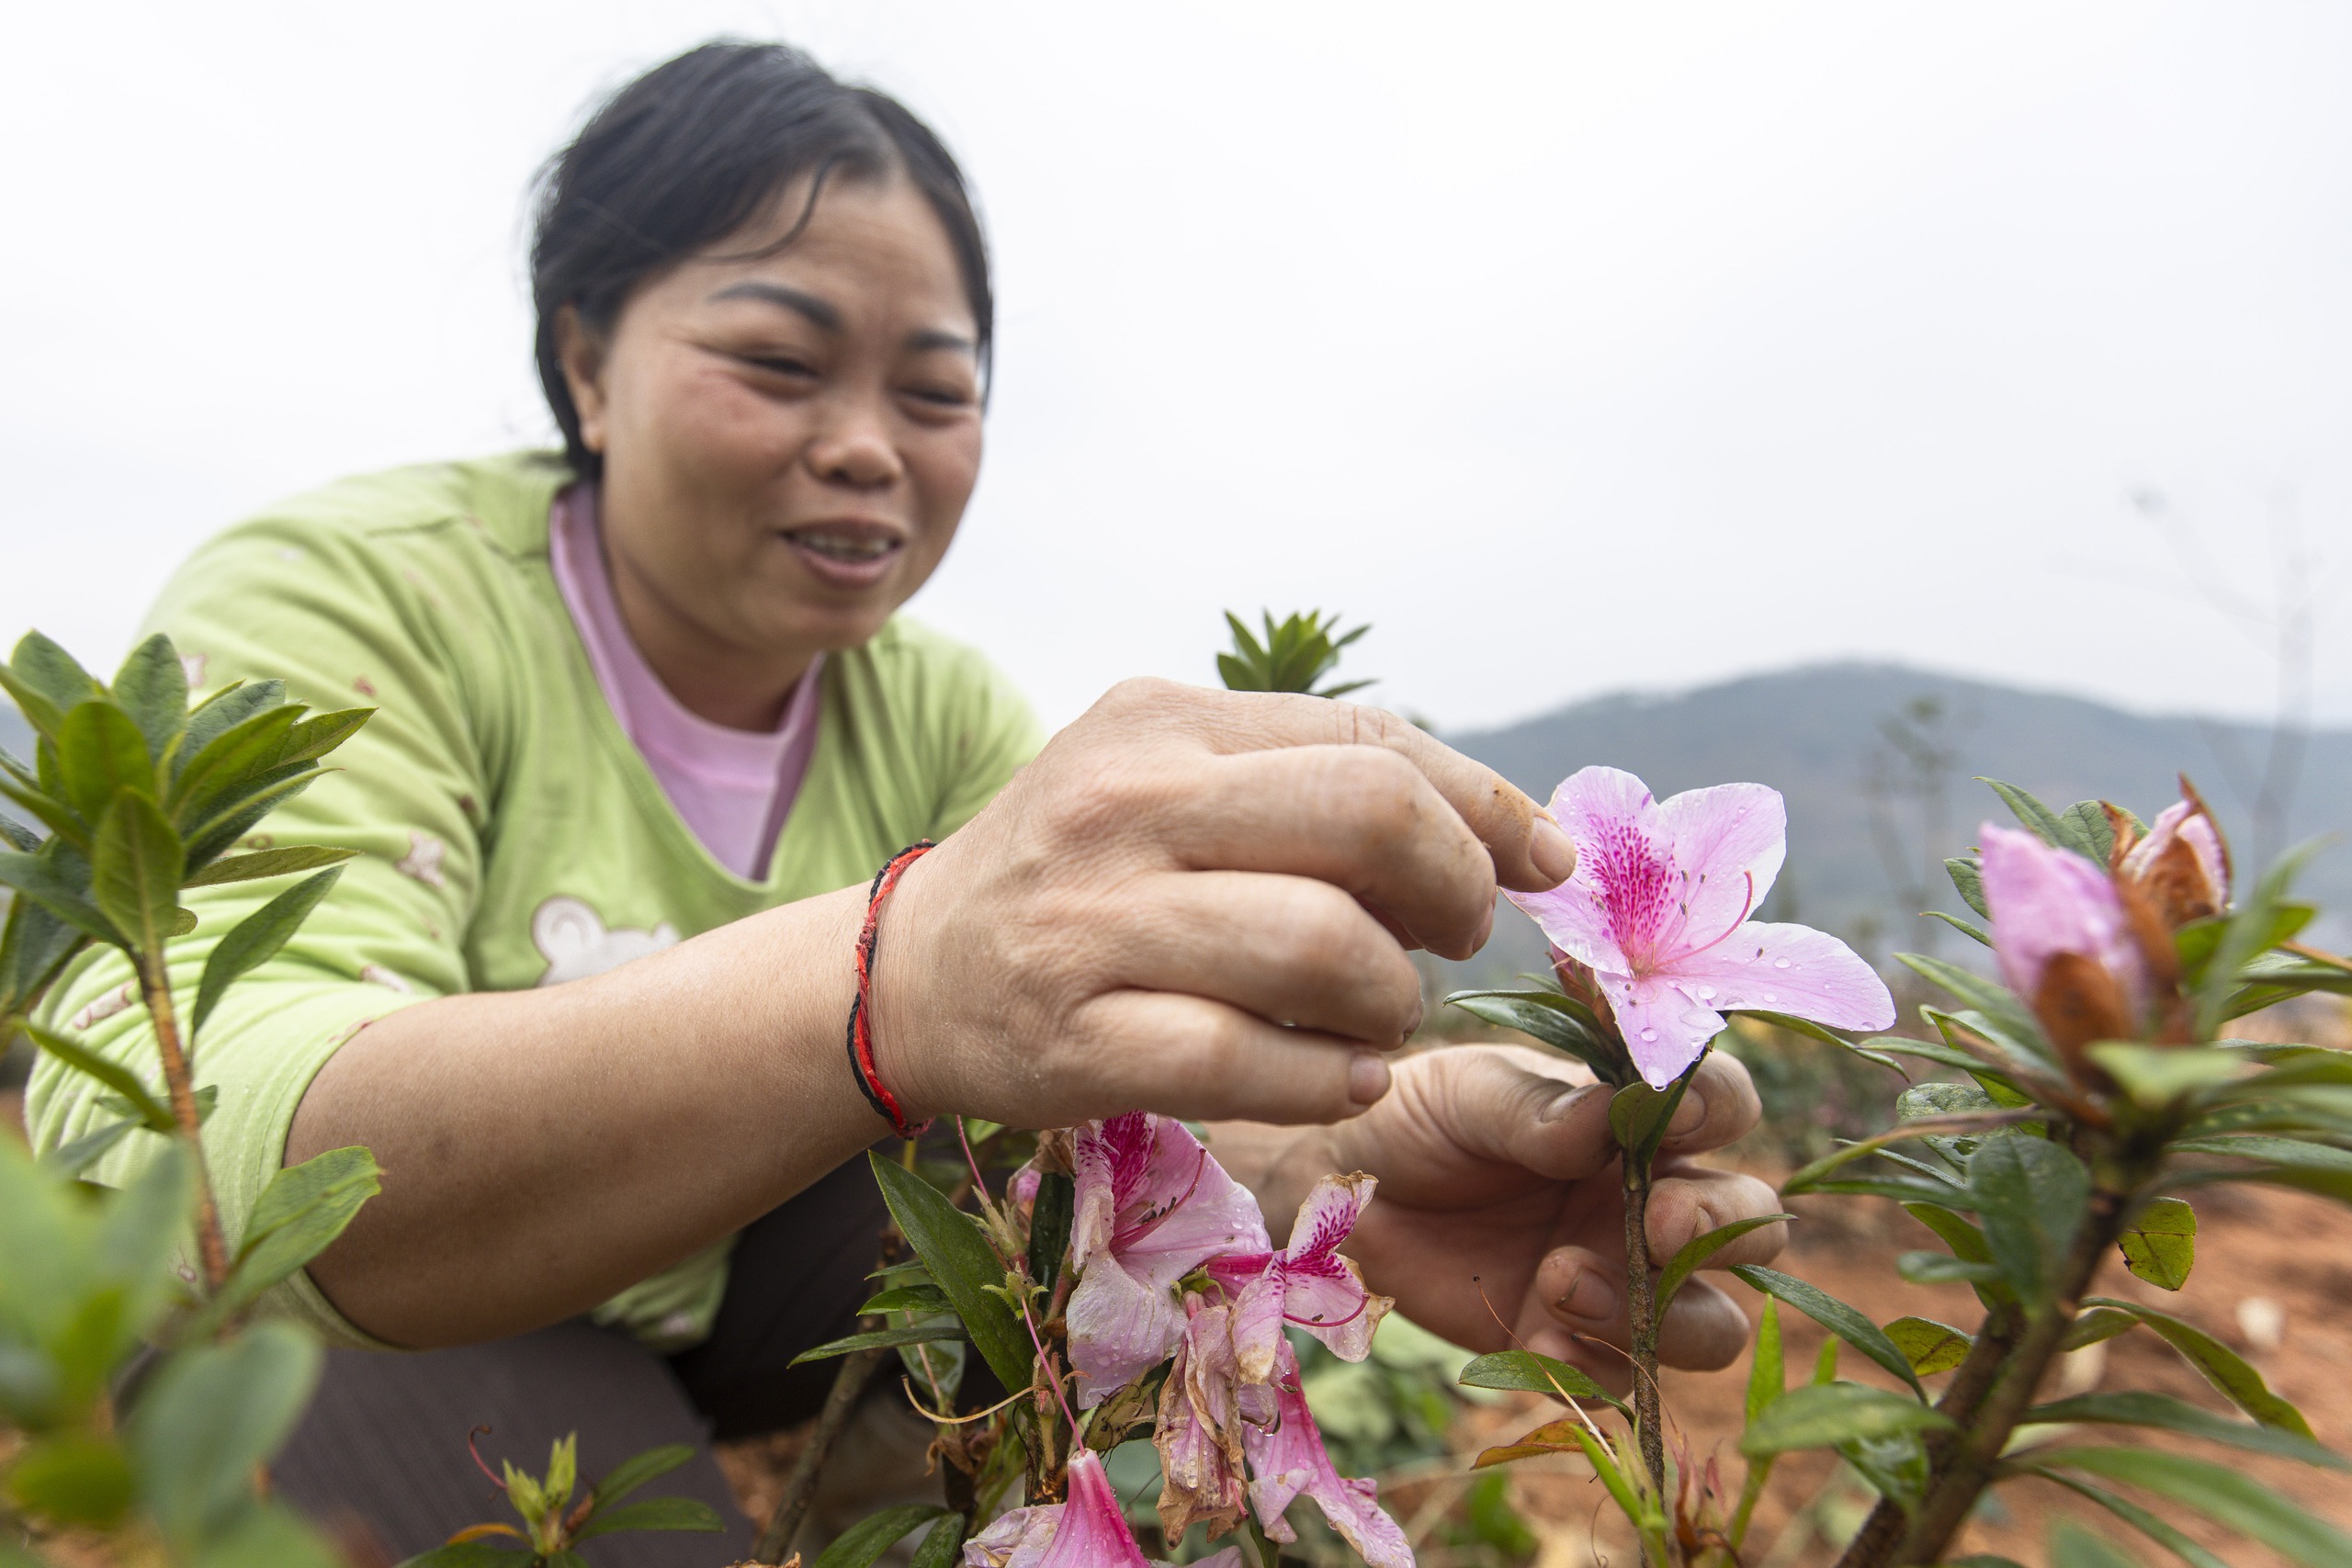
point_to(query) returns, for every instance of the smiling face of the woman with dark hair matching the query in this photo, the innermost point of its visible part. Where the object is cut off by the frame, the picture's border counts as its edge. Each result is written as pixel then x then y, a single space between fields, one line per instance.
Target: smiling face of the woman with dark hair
pixel 791 441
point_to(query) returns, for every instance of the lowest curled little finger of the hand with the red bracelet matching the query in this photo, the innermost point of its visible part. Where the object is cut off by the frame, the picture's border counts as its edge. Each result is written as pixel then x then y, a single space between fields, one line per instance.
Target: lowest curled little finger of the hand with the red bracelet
pixel 1198 1059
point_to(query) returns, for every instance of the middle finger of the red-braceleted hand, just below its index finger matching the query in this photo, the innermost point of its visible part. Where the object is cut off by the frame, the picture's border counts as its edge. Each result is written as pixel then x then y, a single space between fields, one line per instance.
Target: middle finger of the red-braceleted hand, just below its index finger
pixel 1356 817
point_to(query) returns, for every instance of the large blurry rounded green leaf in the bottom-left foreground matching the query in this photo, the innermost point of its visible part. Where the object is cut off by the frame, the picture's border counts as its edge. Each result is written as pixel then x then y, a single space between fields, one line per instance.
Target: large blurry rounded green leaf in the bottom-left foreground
pixel 211 1416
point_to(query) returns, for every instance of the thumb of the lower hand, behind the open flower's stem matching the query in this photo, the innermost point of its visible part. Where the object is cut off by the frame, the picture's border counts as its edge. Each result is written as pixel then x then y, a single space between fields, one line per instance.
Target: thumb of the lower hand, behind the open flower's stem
pixel 1525 1108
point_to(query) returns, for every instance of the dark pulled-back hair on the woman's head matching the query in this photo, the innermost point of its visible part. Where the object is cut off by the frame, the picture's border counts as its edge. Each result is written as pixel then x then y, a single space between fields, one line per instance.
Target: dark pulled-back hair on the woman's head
pixel 688 154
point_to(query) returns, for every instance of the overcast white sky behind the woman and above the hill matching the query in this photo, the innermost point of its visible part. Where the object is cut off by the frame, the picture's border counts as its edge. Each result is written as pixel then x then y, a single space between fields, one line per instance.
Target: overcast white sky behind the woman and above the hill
pixel 1577 347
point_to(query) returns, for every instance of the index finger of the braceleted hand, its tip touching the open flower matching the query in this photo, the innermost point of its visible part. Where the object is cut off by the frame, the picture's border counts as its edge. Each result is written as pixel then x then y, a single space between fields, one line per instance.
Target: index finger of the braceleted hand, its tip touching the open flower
pixel 1528 847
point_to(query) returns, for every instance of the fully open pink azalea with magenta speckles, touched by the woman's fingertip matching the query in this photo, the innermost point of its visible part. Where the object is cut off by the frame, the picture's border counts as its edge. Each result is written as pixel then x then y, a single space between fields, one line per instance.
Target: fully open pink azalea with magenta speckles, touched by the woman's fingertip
pixel 1659 913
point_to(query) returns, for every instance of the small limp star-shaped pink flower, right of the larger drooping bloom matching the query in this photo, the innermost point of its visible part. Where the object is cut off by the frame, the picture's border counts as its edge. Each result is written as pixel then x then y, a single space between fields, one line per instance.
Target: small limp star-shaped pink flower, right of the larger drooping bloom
pixel 1304 1285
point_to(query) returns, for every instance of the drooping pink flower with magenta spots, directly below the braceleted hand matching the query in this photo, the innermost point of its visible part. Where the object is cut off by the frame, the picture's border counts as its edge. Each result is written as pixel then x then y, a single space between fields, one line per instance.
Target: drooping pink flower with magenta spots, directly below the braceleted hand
pixel 1151 1209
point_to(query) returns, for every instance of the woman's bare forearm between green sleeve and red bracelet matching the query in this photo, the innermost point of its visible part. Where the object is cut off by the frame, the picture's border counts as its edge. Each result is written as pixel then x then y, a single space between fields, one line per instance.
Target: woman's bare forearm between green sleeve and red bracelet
pixel 549 1148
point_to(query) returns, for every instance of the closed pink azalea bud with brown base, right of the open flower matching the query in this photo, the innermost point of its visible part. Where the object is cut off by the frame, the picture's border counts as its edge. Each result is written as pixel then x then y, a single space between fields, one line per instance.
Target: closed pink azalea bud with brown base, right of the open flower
pixel 2047 902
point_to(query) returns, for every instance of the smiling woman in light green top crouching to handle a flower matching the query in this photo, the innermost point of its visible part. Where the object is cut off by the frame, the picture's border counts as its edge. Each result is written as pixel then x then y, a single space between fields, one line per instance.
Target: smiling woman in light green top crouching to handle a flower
pixel 648 725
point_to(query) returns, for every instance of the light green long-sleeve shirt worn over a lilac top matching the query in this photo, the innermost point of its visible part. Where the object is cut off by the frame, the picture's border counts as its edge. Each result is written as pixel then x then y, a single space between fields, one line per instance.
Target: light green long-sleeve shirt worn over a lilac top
pixel 509 831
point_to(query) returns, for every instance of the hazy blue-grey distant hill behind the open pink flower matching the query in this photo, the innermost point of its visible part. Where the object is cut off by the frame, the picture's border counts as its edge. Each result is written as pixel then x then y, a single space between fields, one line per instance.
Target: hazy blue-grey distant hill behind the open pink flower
pixel 1819 737
